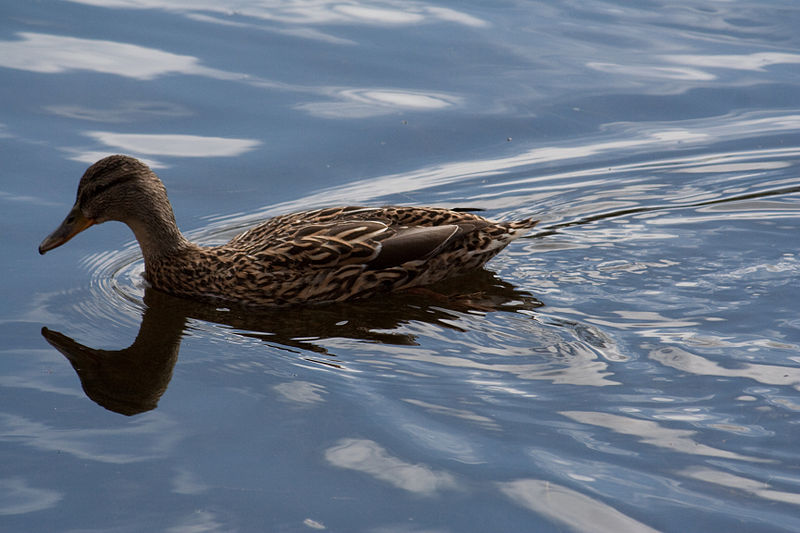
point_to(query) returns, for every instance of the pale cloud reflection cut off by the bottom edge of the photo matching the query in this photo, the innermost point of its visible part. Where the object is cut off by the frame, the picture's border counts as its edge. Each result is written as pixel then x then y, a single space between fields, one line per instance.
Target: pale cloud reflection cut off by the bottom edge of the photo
pixel 570 508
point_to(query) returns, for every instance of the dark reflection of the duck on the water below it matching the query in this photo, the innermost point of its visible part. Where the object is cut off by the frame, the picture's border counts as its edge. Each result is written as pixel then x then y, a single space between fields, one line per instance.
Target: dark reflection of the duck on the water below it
pixel 132 380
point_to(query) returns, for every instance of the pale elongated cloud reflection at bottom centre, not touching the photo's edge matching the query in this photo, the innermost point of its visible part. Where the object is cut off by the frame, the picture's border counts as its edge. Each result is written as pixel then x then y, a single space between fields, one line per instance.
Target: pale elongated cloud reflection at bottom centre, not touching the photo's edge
pixel 371 458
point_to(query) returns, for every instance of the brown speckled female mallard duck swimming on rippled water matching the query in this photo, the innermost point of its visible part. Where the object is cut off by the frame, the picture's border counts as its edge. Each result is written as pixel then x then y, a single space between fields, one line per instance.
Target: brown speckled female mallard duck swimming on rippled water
pixel 325 255
